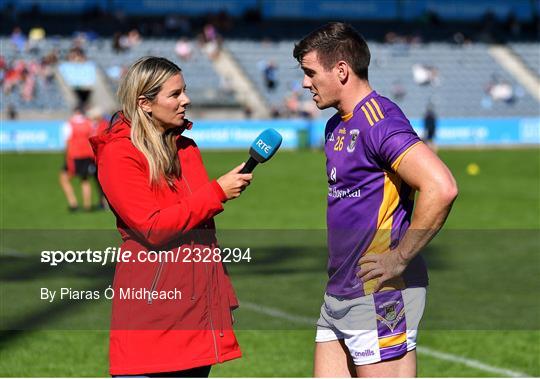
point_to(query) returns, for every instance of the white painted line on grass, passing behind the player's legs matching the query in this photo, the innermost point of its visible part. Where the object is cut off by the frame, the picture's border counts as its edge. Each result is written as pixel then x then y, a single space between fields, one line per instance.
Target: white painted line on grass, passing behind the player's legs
pixel 421 350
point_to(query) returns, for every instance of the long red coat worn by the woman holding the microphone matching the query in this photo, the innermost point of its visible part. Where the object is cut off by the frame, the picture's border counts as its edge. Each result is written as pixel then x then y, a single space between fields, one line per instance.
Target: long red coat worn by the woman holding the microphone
pixel 154 335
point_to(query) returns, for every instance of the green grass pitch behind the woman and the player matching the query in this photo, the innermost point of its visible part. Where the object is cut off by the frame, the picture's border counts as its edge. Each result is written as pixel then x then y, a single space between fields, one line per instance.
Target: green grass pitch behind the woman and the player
pixel 484 267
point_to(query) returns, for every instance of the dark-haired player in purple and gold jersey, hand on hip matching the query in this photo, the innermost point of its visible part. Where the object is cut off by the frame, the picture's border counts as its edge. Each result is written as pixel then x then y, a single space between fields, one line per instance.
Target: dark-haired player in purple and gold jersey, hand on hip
pixel 375 162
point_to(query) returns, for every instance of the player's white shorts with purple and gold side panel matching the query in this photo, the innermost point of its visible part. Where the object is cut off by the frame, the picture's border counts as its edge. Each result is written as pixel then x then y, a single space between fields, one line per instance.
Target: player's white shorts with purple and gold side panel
pixel 375 327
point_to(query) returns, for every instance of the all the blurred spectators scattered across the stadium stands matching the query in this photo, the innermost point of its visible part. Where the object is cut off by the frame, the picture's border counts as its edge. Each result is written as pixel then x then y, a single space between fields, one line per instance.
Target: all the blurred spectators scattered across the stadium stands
pixel 36 63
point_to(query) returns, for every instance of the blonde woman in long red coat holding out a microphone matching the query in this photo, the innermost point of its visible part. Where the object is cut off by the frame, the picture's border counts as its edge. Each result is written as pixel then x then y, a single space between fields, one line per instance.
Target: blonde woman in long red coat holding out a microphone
pixel 158 188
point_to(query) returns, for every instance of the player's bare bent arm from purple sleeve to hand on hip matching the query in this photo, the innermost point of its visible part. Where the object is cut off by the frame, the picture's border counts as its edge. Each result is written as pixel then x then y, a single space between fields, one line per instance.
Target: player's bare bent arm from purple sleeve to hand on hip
pixel 425 172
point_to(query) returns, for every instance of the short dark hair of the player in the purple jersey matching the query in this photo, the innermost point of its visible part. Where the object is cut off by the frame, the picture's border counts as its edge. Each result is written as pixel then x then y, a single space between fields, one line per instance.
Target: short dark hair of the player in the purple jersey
pixel 334 42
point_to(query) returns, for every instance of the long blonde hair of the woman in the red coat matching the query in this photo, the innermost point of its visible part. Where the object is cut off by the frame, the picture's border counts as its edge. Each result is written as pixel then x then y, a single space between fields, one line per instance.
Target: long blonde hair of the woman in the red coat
pixel 145 78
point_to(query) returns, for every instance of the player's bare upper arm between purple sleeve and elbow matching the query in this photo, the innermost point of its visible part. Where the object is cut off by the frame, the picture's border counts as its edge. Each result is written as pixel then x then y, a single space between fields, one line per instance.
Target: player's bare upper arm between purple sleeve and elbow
pixel 420 168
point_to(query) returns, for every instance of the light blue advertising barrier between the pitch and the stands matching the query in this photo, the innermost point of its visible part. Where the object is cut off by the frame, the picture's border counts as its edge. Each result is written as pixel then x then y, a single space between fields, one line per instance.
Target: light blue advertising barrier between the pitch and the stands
pixel 297 133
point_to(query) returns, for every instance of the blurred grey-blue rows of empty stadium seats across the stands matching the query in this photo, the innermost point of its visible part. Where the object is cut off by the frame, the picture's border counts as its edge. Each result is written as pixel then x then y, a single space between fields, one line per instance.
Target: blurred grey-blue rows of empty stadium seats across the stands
pixel 460 89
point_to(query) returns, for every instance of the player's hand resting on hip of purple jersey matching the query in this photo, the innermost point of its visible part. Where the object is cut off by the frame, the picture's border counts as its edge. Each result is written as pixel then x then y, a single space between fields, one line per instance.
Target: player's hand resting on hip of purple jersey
pixel 383 267
